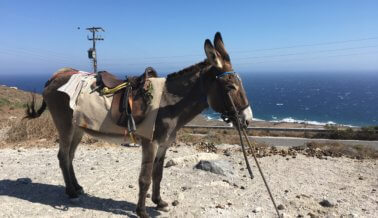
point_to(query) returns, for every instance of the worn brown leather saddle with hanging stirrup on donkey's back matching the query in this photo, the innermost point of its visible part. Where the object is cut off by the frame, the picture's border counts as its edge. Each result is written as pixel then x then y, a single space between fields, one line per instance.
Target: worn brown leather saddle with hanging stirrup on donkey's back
pixel 131 97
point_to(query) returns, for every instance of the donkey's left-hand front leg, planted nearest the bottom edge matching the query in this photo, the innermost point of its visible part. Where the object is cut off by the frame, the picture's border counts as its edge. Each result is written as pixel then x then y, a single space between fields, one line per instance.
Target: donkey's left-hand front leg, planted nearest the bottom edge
pixel 148 157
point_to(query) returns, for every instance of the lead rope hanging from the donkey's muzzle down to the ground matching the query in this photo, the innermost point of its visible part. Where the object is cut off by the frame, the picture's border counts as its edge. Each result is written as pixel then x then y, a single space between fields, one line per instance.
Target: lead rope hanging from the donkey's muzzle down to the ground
pixel 253 153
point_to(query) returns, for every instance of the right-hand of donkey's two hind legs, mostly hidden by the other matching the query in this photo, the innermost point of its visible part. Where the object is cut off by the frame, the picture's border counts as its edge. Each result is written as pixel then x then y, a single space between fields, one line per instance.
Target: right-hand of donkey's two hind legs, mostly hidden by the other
pixel 77 136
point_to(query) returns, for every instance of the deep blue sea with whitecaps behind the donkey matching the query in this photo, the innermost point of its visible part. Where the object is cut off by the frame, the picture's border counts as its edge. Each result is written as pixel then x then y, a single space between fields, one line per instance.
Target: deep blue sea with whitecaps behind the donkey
pixel 318 98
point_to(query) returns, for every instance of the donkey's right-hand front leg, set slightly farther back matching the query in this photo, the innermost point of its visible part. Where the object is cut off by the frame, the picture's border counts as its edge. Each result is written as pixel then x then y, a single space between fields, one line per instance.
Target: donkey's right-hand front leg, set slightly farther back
pixel 157 175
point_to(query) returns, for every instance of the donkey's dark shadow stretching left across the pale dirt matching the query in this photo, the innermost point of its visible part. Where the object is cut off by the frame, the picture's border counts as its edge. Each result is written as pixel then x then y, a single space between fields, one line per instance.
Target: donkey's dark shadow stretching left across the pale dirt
pixel 55 197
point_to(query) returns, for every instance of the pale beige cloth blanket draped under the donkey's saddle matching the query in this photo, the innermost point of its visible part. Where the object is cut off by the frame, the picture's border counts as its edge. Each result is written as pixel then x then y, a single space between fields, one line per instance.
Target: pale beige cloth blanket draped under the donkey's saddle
pixel 92 110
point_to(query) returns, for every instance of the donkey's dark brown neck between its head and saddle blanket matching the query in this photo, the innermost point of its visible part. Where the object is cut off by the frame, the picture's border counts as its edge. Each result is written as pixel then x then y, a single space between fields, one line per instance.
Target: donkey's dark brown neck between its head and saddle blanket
pixel 185 95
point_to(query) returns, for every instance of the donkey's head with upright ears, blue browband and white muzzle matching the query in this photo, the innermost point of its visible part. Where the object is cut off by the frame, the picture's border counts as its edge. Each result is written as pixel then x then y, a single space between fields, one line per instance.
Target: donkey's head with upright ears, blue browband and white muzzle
pixel 225 90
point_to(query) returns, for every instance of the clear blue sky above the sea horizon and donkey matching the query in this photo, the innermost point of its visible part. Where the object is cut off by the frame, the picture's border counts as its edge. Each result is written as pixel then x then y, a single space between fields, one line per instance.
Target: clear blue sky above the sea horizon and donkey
pixel 41 36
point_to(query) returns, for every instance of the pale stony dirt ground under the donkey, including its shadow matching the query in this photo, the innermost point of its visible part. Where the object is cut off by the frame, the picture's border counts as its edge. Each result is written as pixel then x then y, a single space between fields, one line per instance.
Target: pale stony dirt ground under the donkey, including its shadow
pixel 31 184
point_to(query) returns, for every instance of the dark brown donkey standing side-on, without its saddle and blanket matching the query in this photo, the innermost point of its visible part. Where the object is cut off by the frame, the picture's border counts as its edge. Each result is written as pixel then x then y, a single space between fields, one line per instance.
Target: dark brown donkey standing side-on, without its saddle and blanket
pixel 186 94
